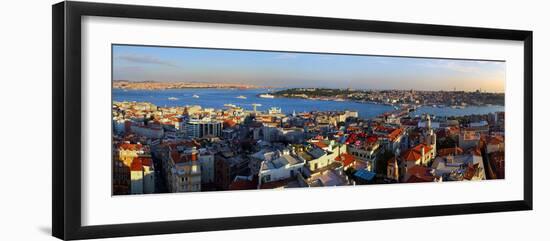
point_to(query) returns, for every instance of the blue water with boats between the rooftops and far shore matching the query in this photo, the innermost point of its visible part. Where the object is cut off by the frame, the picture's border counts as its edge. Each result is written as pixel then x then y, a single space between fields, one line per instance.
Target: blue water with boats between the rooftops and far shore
pixel 217 98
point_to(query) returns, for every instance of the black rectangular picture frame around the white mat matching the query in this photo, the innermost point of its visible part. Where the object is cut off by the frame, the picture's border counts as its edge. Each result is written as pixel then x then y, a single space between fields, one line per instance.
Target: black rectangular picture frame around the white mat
pixel 66 75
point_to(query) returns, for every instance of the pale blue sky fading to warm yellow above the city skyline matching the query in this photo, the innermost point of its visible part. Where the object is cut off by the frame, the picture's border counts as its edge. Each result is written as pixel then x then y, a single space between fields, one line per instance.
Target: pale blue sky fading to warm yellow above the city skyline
pixel 290 69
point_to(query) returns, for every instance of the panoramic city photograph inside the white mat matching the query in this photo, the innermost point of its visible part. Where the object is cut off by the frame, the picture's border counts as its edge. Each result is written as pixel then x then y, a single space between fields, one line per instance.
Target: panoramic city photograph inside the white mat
pixel 201 119
